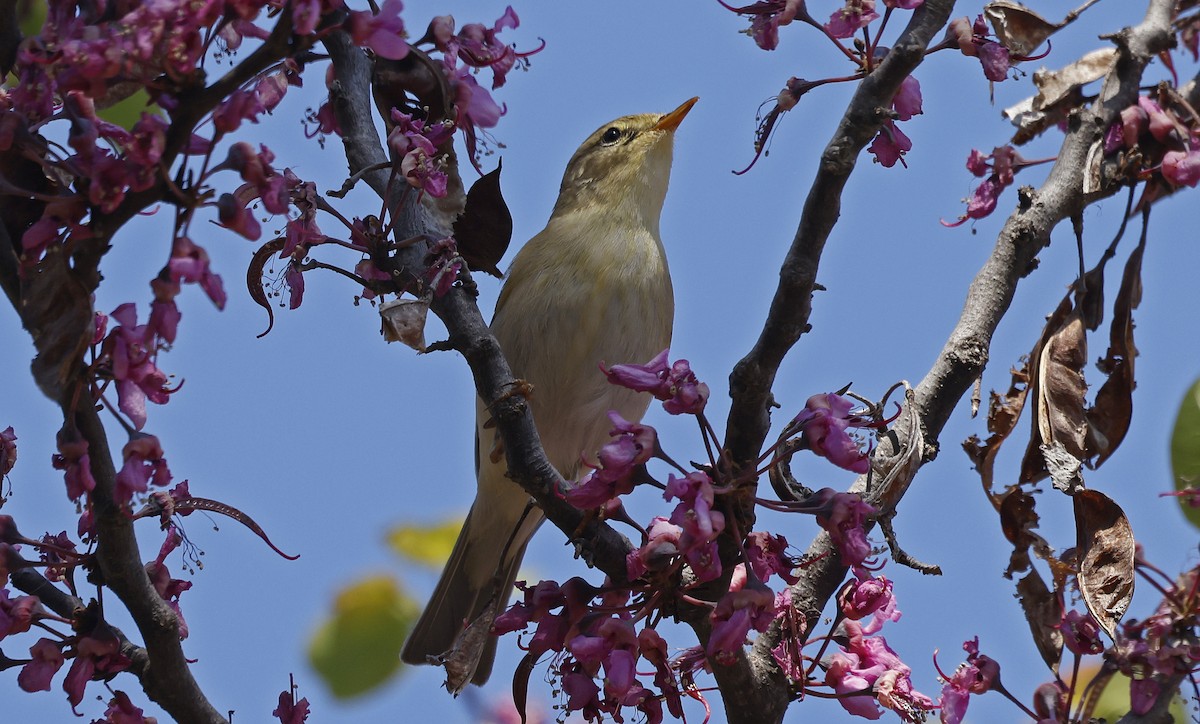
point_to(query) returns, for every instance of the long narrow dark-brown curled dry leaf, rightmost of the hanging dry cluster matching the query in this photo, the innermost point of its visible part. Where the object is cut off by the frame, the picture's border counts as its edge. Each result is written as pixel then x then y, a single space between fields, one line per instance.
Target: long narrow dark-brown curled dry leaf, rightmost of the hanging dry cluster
pixel 1111 416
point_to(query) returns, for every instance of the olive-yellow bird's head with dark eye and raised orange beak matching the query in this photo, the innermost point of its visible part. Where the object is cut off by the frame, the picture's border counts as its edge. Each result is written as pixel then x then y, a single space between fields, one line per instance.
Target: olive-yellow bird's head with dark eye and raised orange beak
pixel 625 165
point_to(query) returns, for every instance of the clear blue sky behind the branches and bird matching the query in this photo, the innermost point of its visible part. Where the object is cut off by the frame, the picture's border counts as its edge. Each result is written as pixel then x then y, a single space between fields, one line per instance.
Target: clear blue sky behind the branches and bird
pixel 328 436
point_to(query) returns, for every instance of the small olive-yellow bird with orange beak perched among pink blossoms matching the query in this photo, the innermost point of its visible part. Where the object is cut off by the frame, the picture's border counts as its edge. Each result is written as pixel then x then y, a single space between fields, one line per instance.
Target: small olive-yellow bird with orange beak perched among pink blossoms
pixel 592 288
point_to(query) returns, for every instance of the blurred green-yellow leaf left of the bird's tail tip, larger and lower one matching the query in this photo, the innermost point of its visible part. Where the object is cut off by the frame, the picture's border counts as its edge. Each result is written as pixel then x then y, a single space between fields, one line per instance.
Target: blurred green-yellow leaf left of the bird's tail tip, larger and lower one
pixel 358 649
